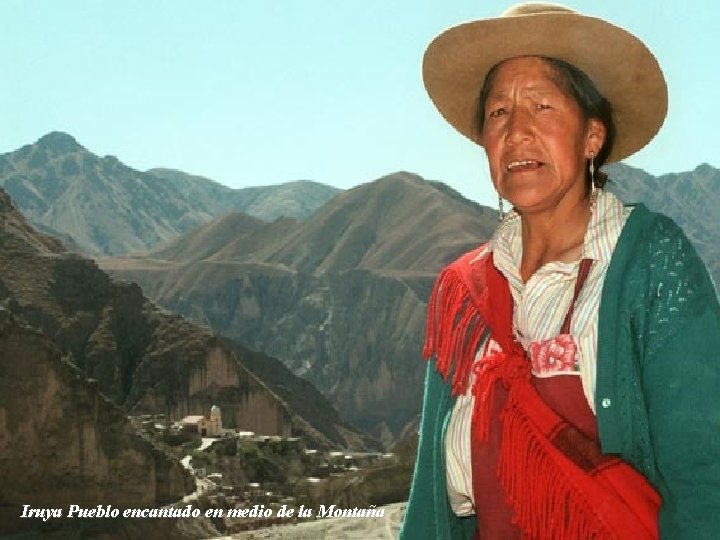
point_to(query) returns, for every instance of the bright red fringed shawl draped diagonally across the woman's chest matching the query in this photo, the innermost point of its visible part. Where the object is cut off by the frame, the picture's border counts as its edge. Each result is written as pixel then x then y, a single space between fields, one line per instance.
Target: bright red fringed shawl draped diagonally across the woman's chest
pixel 559 486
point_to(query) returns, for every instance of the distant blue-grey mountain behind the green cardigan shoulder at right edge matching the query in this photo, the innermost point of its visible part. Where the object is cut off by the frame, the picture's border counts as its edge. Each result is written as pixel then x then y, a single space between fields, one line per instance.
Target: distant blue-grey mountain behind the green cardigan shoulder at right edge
pixel 691 198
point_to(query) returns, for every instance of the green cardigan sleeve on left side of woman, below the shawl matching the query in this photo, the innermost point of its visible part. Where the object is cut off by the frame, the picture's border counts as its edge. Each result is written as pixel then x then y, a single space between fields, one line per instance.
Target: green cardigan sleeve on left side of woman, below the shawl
pixel 428 515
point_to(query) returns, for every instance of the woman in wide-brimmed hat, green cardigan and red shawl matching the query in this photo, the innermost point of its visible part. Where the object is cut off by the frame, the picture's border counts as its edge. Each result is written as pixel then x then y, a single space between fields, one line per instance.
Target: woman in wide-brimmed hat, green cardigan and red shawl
pixel 575 387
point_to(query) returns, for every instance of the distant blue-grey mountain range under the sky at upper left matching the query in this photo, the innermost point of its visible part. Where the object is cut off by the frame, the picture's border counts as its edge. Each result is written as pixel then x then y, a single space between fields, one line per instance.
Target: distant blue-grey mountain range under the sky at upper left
pixel 105 207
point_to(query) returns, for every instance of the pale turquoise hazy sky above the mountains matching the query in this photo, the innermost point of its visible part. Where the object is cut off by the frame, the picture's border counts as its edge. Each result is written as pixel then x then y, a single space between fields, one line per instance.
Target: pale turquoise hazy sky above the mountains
pixel 254 92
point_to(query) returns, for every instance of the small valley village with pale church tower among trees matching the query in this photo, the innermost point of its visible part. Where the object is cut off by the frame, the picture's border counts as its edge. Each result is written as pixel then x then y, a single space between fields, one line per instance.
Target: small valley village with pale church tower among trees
pixel 251 475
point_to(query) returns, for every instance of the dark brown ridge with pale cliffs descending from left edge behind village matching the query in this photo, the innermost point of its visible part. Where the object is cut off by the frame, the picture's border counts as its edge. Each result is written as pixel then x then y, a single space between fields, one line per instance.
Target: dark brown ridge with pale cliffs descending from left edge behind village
pixel 147 360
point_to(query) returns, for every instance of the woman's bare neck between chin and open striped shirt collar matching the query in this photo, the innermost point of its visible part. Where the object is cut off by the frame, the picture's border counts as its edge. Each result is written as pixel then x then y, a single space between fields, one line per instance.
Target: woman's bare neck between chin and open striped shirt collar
pixel 554 235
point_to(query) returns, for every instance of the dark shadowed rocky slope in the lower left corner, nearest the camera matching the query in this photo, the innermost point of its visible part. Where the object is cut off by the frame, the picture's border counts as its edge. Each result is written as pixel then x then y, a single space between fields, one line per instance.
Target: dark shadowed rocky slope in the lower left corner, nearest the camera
pixel 63 442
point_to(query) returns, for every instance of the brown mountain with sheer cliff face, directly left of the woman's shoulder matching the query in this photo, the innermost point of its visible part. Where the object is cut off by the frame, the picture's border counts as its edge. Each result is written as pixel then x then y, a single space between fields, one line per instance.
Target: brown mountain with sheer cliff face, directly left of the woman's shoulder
pixel 339 298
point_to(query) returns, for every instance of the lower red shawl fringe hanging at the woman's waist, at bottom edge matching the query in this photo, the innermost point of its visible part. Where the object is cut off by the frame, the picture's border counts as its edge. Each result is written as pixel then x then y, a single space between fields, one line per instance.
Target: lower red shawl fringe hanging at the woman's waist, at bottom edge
pixel 613 501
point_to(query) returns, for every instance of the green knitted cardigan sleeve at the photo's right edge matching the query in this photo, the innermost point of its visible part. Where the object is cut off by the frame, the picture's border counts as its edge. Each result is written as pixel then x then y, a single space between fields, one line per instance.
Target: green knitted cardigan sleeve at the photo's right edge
pixel 681 385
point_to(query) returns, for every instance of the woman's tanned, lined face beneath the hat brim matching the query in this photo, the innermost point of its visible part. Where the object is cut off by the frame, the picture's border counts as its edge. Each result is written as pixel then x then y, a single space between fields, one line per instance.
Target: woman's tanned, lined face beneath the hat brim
pixel 536 138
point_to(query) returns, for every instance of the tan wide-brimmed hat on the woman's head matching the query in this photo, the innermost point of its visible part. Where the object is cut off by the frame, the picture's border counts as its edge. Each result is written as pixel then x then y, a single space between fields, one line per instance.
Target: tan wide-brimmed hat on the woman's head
pixel 621 66
